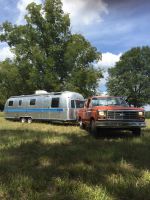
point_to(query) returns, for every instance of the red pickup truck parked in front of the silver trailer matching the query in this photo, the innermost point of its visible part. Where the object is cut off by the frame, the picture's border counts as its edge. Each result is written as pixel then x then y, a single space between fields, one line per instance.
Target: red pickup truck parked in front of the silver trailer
pixel 110 112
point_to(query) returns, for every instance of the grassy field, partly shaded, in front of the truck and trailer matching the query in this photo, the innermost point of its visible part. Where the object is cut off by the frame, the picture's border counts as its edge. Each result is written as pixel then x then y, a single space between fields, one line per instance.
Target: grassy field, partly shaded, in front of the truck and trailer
pixel 43 161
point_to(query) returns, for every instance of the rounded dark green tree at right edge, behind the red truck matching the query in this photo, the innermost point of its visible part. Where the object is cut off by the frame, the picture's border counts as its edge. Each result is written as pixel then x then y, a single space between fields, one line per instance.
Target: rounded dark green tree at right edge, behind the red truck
pixel 131 76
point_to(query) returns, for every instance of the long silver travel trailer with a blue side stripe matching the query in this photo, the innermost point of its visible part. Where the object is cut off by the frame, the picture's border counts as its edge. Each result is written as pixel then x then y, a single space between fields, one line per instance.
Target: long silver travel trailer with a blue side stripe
pixel 54 106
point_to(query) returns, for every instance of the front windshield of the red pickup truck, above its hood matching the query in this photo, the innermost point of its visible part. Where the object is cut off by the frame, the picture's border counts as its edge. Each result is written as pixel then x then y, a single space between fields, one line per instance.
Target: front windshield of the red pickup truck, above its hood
pixel 109 101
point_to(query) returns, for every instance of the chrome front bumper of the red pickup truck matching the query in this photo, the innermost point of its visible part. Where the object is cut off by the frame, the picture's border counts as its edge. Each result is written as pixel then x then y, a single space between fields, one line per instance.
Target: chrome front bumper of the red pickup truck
pixel 120 124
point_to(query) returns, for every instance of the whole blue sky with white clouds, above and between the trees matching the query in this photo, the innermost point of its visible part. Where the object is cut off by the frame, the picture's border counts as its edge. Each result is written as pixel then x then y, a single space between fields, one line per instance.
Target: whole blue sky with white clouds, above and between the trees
pixel 112 26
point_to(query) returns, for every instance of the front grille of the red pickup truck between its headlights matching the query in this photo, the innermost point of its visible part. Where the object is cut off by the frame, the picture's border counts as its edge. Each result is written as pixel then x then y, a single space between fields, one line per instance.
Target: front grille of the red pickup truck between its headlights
pixel 122 115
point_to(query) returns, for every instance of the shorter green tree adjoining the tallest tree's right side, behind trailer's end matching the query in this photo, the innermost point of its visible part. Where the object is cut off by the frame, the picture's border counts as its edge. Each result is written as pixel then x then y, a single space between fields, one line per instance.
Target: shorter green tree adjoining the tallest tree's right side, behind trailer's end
pixel 79 57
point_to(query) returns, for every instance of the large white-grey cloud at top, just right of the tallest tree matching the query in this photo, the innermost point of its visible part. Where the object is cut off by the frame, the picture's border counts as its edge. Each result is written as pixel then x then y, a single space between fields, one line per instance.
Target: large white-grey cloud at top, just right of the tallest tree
pixel 85 12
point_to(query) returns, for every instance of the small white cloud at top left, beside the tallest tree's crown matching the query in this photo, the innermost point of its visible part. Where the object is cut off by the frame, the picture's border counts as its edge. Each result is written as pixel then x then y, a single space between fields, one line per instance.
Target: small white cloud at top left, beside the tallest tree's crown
pixel 21 6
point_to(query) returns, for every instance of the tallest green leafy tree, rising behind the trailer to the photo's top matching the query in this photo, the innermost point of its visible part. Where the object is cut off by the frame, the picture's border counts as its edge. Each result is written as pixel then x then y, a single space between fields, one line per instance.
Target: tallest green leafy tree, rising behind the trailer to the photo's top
pixel 39 45
